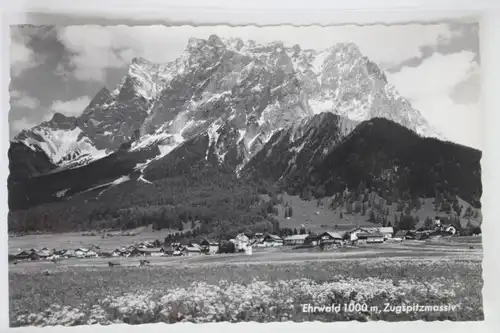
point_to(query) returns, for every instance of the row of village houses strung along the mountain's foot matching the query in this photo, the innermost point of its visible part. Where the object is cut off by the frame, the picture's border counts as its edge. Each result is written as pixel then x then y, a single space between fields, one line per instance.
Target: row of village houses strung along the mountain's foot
pixel 242 243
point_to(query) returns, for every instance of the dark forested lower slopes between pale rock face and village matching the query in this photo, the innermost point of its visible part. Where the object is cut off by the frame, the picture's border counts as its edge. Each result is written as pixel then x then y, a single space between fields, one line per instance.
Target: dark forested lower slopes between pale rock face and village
pixel 157 184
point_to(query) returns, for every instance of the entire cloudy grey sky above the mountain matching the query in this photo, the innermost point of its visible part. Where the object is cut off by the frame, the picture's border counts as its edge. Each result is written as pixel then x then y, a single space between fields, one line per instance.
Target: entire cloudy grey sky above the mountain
pixel 60 69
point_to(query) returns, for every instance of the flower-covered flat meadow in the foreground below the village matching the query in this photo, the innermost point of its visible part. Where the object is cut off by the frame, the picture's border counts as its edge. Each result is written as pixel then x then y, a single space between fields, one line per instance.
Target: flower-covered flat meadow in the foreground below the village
pixel 270 285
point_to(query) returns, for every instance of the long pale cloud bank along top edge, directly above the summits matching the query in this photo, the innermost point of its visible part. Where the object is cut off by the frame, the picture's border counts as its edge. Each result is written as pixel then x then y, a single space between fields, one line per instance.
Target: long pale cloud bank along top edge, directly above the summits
pixel 115 46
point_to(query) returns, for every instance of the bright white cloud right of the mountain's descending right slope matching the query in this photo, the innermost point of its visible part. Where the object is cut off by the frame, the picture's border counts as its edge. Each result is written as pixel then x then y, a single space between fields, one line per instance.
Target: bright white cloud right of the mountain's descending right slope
pixel 431 86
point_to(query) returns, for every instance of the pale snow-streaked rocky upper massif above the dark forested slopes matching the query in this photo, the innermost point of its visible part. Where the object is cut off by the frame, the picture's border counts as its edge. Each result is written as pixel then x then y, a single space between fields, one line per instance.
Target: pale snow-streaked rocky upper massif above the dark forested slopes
pixel 259 89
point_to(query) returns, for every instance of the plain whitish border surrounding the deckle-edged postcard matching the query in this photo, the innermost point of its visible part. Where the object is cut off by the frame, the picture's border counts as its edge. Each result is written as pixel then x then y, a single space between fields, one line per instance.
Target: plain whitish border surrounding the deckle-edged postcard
pixel 268 12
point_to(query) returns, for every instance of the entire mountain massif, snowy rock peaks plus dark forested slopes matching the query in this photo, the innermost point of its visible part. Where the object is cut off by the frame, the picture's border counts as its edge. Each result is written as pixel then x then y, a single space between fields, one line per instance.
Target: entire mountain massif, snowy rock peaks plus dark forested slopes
pixel 237 114
